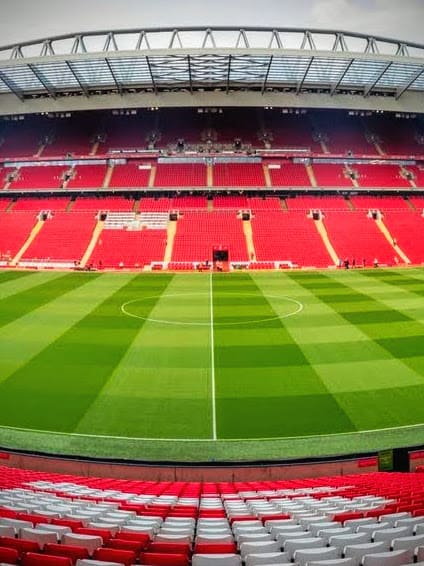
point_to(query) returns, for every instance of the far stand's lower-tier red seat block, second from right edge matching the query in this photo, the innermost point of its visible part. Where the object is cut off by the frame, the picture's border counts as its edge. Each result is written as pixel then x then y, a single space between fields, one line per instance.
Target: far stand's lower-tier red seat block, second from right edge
pixel 354 236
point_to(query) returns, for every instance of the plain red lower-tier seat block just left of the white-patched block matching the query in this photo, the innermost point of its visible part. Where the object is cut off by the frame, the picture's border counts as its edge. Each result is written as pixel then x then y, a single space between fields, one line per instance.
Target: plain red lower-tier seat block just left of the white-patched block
pixel 64 237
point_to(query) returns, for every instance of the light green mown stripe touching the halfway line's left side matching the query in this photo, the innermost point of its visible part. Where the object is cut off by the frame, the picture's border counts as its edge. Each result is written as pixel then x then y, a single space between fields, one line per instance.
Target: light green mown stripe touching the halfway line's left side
pixel 162 383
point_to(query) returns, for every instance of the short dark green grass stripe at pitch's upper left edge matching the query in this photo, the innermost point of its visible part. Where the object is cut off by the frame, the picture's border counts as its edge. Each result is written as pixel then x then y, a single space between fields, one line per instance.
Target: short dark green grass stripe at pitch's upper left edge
pixel 20 304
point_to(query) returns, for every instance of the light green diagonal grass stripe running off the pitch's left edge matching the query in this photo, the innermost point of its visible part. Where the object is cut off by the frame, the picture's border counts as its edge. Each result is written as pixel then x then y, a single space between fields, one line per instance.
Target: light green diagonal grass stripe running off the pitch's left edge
pixel 27 336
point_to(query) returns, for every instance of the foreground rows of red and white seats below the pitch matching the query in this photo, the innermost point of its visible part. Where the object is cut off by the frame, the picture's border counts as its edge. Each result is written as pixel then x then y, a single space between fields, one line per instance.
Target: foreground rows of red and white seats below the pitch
pixel 178 523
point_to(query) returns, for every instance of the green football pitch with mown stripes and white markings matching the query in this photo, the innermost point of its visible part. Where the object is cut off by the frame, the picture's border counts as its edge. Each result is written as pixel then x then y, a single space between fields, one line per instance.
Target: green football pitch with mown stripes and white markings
pixel 212 367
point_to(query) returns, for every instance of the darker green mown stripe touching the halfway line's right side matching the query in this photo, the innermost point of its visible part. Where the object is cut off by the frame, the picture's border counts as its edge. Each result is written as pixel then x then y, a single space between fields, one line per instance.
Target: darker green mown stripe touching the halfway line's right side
pixel 271 389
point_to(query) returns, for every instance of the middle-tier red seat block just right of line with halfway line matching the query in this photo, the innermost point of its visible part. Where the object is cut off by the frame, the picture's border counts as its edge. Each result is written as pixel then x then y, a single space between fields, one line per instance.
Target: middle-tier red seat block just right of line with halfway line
pixel 238 175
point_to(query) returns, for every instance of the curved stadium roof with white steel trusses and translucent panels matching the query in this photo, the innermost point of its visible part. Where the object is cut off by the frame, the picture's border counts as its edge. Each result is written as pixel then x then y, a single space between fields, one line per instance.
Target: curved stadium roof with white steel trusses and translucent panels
pixel 222 59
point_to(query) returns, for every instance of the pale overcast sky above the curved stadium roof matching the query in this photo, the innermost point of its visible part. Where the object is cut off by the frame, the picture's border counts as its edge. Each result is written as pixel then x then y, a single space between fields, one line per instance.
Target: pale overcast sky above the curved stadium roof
pixel 22 20
